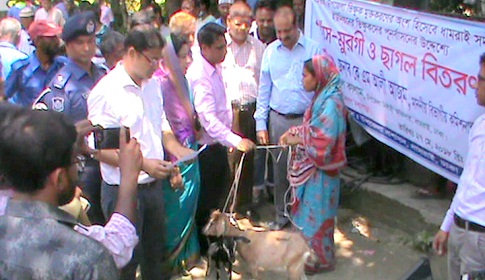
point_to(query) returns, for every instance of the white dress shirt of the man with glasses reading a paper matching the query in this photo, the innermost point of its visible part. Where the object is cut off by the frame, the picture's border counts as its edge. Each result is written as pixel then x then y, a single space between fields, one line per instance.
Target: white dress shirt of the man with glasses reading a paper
pixel 117 101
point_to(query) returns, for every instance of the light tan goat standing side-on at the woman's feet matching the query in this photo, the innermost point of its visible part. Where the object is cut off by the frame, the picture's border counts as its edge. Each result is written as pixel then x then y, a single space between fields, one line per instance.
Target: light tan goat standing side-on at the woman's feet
pixel 269 250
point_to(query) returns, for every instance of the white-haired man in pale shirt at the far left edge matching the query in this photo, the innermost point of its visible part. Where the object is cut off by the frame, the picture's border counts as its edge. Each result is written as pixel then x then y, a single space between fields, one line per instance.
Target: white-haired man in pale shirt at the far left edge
pixel 9 38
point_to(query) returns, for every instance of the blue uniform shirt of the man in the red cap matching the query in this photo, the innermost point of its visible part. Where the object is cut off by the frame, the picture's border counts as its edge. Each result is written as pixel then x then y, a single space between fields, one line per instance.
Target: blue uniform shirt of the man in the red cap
pixel 28 79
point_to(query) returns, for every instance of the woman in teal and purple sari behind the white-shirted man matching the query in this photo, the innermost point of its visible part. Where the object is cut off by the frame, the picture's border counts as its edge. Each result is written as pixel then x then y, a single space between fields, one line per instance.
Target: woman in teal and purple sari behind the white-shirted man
pixel 180 202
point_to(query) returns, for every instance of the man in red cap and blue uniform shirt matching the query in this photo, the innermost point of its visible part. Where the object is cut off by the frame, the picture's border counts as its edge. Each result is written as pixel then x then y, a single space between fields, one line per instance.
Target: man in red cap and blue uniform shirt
pixel 30 76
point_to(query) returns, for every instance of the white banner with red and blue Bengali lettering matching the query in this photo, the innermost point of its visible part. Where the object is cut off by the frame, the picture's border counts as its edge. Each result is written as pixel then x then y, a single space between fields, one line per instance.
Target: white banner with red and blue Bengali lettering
pixel 409 77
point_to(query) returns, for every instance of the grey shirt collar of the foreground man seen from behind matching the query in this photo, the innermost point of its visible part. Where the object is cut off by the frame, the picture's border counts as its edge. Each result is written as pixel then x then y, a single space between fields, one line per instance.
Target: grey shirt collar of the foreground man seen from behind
pixel 38 210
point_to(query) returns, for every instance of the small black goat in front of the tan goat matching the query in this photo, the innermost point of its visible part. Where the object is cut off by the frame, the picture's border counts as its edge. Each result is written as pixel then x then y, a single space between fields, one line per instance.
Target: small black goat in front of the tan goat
pixel 222 251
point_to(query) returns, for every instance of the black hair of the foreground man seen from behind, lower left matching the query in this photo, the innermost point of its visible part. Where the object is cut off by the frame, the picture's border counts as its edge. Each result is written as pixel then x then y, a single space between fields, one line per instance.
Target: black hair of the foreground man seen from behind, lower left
pixel 32 145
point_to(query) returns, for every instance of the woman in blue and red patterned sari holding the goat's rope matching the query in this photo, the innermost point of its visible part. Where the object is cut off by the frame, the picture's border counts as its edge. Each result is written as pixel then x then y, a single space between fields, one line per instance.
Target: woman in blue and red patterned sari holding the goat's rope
pixel 317 156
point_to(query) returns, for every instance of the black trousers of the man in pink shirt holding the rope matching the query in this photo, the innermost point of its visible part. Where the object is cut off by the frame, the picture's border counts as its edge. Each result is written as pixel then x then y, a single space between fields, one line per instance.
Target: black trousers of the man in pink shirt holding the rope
pixel 214 186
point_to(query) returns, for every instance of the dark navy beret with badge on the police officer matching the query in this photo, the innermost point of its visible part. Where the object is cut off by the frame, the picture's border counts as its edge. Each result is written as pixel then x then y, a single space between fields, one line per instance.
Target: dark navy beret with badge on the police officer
pixel 78 25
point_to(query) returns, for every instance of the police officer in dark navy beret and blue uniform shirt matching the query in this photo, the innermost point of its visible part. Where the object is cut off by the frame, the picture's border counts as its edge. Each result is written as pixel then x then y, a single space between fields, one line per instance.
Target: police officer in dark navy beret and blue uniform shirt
pixel 69 90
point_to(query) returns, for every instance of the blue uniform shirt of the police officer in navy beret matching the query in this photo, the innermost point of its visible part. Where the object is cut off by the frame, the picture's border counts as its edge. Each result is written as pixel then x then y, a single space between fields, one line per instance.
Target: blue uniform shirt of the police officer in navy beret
pixel 69 90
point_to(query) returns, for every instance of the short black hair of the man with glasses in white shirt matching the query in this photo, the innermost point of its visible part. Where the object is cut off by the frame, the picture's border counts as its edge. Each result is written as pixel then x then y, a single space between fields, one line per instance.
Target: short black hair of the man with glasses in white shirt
pixel 144 39
